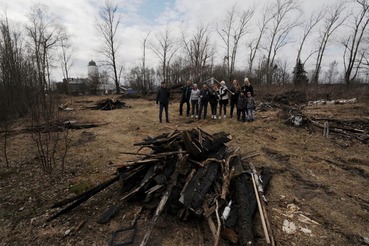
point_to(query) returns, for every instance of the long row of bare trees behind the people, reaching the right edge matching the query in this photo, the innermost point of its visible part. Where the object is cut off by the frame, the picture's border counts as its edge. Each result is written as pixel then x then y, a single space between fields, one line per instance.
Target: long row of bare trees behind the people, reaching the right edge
pixel 265 31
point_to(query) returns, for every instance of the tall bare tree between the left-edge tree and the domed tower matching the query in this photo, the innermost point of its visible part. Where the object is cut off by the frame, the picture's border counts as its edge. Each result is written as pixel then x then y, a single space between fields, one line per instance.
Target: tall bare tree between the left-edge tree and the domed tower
pixel 45 35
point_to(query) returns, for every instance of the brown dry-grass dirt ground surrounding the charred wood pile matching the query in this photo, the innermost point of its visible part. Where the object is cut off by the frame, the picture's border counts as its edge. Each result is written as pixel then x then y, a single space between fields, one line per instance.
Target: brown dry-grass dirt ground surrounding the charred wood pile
pixel 319 185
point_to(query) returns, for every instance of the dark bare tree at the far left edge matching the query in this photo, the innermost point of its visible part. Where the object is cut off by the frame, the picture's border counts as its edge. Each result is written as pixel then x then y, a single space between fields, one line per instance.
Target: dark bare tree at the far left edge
pixel 14 76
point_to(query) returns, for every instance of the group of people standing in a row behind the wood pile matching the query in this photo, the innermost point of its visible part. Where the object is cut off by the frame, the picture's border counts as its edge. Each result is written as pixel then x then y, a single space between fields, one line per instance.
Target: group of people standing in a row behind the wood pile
pixel 241 97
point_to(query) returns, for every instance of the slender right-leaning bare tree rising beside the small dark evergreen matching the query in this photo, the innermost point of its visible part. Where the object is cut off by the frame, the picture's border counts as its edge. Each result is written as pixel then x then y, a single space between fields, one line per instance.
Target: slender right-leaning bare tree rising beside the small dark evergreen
pixel 314 19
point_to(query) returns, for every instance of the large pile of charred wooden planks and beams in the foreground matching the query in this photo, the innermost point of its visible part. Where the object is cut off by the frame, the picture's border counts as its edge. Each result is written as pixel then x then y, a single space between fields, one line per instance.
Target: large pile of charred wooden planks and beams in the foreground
pixel 193 173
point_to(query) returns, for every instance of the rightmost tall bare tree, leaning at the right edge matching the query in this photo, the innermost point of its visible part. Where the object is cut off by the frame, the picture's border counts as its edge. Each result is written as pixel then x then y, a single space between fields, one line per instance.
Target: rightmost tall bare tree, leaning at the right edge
pixel 354 52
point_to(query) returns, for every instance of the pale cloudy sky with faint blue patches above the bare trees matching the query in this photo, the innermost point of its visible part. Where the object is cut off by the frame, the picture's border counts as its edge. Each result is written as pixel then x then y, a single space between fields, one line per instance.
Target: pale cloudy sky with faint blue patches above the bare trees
pixel 142 16
